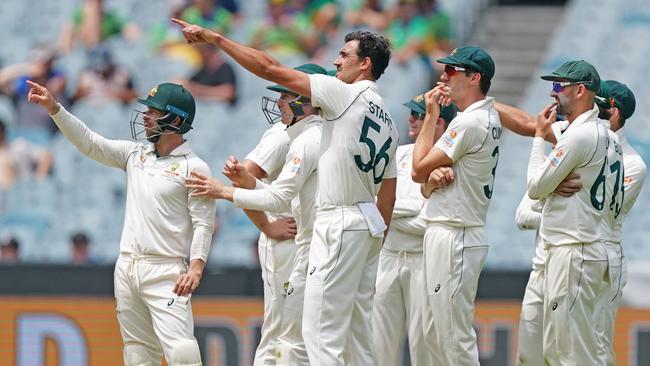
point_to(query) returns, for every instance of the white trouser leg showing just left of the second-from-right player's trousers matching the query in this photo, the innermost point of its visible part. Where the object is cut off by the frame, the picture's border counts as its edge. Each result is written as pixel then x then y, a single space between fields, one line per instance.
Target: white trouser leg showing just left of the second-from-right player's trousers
pixel 531 322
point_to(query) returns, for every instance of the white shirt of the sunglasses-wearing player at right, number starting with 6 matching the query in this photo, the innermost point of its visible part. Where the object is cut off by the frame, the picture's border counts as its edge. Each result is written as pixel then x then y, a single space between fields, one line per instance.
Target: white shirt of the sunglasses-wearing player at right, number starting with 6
pixel 582 148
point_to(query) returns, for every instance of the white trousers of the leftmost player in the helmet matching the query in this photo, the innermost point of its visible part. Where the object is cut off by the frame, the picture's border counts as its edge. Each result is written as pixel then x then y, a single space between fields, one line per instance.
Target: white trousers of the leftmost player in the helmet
pixel 153 320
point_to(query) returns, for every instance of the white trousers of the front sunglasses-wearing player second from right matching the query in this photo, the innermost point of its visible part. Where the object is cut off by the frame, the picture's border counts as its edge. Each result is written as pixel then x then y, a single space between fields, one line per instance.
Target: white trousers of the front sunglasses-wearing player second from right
pixel 576 279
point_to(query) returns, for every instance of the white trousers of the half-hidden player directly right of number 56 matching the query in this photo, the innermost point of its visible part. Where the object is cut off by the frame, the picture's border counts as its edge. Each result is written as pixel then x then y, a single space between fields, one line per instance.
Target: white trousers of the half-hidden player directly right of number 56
pixel 398 307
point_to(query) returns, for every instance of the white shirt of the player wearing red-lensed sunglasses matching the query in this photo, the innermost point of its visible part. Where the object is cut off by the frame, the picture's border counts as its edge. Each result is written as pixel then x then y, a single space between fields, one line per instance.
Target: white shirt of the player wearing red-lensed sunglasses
pixel 472 142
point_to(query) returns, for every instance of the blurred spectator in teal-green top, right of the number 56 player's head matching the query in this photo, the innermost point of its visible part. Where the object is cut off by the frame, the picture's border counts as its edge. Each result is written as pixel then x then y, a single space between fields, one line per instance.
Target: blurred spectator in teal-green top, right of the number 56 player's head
pixel 407 31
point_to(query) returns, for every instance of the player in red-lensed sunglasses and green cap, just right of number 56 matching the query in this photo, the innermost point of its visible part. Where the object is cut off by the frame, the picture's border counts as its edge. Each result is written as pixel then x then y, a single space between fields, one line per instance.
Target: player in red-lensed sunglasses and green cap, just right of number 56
pixel 455 243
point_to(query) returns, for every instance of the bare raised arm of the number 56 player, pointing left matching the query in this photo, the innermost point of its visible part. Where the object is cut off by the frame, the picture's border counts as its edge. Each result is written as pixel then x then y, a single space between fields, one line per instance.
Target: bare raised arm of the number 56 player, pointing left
pixel 258 62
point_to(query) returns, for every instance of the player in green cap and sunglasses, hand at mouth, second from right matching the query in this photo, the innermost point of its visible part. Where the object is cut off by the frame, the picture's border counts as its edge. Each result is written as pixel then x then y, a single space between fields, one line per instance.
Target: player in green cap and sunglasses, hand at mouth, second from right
pixel 576 260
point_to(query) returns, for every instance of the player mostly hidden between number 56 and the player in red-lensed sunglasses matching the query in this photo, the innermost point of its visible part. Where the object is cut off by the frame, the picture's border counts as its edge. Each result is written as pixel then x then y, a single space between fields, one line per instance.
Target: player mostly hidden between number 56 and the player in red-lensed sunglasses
pixel 398 292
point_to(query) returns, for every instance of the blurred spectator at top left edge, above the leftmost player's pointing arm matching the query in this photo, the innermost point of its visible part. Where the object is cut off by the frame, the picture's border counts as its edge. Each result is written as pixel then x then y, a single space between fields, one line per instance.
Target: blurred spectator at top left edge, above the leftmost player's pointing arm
pixel 92 24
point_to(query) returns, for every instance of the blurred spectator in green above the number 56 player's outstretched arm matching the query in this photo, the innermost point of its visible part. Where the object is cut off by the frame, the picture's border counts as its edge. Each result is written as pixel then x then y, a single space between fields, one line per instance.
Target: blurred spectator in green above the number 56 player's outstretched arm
pixel 285 33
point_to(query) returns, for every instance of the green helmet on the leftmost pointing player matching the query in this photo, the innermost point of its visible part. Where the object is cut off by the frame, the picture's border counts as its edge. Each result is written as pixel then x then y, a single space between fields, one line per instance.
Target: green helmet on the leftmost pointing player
pixel 174 98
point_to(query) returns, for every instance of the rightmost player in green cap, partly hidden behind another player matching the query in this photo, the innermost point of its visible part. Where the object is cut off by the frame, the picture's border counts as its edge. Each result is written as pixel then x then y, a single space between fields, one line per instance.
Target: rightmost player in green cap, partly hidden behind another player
pixel 617 104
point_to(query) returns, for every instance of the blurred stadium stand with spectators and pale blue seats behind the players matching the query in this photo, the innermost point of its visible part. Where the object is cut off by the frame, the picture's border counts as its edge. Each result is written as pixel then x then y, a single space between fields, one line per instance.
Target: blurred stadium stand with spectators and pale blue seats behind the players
pixel 98 56
